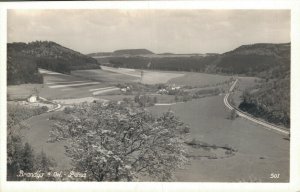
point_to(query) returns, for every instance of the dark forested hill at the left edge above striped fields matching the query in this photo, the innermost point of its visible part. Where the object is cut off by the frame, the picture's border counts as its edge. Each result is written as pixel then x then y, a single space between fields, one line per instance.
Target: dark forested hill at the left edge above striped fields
pixel 25 58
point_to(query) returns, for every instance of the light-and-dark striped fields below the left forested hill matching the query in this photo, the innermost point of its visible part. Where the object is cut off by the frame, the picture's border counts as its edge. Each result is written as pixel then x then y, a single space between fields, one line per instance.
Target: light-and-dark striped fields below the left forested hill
pixel 60 86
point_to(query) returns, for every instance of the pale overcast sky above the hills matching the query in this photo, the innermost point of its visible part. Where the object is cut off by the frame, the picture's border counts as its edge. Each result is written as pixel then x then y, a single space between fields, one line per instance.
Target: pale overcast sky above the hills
pixel 177 31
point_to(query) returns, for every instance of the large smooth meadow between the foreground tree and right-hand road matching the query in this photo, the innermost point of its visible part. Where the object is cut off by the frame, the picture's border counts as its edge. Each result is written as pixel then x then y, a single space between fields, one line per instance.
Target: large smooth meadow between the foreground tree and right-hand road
pixel 260 152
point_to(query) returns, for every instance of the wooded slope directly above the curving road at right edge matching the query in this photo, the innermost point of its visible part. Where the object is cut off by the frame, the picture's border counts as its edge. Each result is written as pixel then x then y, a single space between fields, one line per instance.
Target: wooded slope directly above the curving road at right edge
pixel 270 102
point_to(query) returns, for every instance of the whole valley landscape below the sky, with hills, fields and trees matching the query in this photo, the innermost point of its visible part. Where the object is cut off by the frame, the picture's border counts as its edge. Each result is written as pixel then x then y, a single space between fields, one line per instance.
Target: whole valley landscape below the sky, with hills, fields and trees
pixel 136 115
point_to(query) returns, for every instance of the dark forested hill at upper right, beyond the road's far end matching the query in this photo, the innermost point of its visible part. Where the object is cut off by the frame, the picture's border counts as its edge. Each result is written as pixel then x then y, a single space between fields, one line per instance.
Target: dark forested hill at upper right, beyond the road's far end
pixel 256 60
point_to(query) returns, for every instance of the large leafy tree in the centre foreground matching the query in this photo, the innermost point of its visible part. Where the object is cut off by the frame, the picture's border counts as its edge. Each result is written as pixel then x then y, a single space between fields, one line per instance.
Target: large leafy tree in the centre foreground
pixel 112 142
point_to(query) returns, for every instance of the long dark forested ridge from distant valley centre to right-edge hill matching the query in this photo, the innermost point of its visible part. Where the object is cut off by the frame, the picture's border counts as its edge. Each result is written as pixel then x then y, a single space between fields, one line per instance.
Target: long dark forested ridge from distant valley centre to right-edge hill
pixel 251 60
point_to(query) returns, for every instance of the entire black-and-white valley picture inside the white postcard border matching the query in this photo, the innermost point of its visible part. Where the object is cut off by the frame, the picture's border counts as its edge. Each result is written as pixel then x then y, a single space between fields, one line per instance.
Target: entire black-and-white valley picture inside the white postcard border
pixel 148 95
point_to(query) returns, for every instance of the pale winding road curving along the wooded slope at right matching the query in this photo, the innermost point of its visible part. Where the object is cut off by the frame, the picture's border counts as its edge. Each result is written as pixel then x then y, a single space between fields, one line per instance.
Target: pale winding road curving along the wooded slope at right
pixel 266 125
